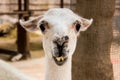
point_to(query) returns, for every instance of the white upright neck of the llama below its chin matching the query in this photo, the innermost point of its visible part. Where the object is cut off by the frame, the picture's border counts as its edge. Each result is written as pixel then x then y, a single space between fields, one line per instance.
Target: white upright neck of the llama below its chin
pixel 55 72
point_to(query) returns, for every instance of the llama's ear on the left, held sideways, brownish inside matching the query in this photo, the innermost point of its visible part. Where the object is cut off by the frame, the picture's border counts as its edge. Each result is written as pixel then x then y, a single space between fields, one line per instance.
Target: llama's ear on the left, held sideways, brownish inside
pixel 30 25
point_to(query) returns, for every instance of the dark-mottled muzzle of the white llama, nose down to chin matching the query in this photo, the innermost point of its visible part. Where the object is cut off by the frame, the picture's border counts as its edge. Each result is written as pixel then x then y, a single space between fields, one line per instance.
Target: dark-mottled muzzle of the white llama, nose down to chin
pixel 60 50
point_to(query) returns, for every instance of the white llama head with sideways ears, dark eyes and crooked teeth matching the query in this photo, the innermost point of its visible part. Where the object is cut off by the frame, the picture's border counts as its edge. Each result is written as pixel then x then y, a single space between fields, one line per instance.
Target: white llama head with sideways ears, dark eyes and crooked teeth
pixel 60 28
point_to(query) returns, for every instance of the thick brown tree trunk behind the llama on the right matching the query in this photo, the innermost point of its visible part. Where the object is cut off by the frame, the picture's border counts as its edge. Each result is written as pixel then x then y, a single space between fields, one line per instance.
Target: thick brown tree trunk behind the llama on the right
pixel 91 60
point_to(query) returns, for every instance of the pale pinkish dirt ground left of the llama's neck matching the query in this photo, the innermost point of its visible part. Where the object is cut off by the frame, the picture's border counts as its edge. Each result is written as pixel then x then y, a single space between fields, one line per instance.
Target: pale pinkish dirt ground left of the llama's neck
pixel 32 67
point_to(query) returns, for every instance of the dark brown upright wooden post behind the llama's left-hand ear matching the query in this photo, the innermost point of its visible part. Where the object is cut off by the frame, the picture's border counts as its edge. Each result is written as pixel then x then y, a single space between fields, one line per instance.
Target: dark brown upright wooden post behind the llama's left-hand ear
pixel 22 35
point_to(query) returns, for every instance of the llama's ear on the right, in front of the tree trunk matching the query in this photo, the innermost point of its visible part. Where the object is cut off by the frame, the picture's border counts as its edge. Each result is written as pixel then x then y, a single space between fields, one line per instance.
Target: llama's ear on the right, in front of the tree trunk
pixel 85 23
